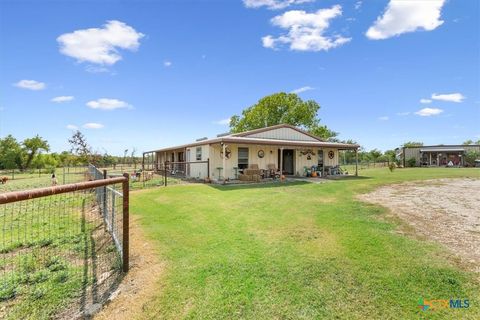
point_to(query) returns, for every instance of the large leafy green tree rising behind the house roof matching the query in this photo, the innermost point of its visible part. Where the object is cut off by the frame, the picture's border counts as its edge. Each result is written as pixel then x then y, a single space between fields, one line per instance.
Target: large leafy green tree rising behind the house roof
pixel 280 108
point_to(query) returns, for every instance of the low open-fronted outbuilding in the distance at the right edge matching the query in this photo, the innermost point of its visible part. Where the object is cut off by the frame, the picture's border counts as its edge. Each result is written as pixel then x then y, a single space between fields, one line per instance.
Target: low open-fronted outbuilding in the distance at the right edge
pixel 439 155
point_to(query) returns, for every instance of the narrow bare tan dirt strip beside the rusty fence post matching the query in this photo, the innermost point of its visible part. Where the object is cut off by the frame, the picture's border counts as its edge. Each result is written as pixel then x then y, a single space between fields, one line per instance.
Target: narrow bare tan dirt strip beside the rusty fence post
pixel 140 284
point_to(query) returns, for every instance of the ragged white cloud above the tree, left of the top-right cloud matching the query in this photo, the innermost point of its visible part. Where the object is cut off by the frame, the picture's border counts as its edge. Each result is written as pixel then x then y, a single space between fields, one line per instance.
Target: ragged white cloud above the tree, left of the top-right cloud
pixel 306 31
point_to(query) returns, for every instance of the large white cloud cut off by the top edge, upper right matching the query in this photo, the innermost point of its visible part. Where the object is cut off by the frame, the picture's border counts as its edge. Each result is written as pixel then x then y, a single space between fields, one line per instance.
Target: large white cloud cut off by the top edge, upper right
pixel 403 16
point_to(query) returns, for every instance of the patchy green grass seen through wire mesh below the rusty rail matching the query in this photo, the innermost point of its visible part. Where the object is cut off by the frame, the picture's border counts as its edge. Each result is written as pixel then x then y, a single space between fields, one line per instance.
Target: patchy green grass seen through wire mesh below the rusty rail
pixel 52 250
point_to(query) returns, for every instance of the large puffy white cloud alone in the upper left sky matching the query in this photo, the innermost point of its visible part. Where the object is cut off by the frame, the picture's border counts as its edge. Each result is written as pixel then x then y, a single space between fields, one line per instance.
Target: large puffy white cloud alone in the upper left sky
pixel 100 45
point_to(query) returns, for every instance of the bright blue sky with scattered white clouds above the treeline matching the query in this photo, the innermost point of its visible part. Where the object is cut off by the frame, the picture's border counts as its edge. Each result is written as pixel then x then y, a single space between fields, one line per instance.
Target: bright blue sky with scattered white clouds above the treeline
pixel 169 71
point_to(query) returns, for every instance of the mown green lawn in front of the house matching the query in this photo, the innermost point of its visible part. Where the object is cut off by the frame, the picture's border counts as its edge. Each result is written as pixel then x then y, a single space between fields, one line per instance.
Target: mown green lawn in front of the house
pixel 295 251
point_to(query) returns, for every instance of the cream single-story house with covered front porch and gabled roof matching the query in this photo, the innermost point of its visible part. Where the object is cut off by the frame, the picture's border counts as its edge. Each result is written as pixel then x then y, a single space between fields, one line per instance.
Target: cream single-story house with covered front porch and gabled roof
pixel 280 146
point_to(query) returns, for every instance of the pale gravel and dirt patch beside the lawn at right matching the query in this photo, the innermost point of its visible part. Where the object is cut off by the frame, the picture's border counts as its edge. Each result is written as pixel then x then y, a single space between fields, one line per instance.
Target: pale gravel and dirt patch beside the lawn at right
pixel 444 210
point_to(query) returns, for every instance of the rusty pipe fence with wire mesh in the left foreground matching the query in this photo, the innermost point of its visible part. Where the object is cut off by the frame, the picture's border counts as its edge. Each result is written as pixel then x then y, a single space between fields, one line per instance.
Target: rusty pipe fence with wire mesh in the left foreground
pixel 63 248
